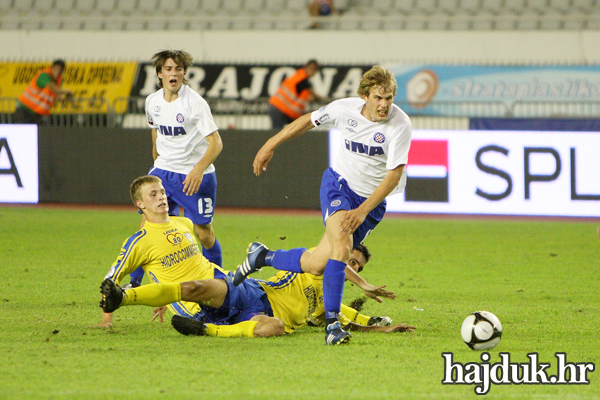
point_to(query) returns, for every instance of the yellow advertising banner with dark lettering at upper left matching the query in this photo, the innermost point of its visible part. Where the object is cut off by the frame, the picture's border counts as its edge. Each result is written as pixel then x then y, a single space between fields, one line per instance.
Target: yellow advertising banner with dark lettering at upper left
pixel 95 85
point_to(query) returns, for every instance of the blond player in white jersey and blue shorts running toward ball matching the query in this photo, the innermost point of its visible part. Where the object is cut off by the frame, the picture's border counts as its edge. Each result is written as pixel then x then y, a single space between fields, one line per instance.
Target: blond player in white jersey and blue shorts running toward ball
pixel 376 137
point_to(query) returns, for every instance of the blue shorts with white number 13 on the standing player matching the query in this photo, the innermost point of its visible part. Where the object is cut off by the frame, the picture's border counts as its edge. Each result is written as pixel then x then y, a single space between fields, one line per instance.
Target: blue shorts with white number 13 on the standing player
pixel 200 207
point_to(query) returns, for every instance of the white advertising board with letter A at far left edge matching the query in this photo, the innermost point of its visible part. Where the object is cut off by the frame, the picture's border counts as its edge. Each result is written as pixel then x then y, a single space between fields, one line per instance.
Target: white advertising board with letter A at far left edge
pixel 18 164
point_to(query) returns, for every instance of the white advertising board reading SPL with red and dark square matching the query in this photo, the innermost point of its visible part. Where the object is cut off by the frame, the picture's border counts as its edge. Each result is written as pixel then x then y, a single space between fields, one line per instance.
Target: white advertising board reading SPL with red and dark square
pixel 500 172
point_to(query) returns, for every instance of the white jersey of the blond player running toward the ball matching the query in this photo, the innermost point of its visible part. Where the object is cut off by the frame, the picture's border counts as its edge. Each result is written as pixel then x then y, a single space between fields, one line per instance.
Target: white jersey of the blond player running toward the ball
pixel 368 149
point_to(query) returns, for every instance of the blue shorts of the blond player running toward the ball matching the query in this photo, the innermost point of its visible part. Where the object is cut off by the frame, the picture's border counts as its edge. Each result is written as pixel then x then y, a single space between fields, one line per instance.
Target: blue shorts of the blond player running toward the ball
pixel 336 195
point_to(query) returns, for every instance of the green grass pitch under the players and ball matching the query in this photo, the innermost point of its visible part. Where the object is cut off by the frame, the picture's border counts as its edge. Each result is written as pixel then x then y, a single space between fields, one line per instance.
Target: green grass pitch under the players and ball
pixel 541 278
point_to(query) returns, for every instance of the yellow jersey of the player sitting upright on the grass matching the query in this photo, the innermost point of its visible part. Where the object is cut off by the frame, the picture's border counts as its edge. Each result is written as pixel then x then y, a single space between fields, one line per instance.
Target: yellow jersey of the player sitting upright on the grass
pixel 168 253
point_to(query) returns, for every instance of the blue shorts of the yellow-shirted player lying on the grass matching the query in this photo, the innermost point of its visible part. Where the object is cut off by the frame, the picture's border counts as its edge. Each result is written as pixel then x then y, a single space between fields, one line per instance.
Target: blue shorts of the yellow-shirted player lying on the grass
pixel 241 303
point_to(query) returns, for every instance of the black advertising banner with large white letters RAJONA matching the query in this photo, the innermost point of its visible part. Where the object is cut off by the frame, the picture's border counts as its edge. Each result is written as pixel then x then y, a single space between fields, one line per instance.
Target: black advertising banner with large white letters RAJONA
pixel 231 86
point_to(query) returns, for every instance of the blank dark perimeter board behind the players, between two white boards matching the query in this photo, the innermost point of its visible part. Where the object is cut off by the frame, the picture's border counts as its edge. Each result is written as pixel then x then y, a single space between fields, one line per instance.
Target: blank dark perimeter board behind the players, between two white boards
pixel 96 165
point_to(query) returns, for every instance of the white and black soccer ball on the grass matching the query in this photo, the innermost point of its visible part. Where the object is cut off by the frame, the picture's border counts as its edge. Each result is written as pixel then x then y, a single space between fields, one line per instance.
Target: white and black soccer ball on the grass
pixel 481 330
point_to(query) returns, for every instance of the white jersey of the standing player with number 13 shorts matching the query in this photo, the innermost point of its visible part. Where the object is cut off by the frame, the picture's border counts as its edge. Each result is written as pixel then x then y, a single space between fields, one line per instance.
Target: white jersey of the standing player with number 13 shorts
pixel 181 128
